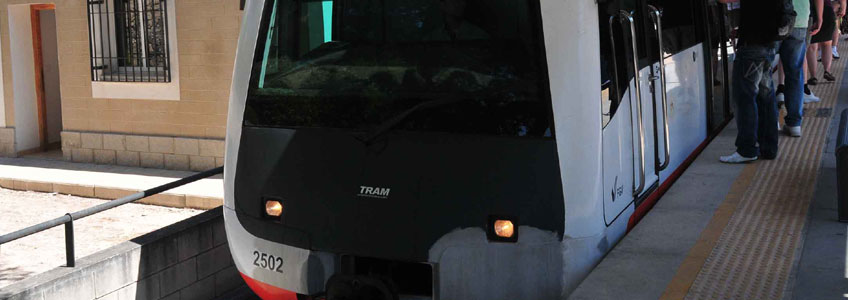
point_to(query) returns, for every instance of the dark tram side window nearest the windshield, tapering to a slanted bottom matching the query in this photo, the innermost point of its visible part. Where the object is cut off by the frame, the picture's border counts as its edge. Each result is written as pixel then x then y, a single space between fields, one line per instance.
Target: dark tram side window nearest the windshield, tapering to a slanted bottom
pixel 615 73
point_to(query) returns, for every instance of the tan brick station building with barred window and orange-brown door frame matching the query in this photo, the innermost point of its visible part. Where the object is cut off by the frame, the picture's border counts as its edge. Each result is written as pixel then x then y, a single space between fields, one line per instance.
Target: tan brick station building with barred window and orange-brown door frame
pixel 128 82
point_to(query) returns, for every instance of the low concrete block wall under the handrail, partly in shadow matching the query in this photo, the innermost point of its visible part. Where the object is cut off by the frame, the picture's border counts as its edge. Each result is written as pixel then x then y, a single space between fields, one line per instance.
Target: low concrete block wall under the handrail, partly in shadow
pixel 187 260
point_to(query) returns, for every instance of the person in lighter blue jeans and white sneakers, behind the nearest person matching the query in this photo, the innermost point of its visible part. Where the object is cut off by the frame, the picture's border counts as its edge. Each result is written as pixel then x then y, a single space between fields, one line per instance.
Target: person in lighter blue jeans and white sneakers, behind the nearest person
pixel 792 51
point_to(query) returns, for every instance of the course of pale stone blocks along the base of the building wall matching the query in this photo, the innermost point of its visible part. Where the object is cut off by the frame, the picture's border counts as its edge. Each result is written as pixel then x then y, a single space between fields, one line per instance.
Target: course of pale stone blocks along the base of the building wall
pixel 174 153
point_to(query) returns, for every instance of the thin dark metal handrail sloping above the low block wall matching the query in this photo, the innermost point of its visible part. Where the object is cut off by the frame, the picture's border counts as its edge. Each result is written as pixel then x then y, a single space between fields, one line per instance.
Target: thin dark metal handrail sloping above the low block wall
pixel 68 219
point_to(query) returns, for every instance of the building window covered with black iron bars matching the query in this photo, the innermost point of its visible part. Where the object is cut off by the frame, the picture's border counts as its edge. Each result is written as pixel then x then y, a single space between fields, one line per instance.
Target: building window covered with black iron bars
pixel 129 40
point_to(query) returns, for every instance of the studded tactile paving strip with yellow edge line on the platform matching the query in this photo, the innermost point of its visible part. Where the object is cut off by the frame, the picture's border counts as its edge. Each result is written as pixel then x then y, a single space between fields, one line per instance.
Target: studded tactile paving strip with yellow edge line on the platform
pixel 748 249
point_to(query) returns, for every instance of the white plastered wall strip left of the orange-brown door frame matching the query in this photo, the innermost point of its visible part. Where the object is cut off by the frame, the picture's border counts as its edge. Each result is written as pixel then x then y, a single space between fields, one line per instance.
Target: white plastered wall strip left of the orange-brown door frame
pixel 23 77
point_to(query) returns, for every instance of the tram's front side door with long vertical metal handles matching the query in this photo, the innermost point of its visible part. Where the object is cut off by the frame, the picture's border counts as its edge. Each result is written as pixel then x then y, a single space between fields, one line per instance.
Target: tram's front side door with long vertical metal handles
pixel 628 80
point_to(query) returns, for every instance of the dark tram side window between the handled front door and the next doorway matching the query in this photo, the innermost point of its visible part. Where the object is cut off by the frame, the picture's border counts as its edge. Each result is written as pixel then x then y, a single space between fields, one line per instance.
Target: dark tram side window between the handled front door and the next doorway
pixel 678 21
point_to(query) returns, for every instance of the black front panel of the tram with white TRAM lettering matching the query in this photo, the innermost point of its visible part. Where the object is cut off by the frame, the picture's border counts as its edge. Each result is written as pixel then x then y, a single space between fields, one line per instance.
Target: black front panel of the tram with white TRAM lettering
pixel 436 183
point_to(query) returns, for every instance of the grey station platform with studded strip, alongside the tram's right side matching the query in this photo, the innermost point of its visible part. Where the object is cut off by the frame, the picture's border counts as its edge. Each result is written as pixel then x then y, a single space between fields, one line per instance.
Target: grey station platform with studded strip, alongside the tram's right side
pixel 765 230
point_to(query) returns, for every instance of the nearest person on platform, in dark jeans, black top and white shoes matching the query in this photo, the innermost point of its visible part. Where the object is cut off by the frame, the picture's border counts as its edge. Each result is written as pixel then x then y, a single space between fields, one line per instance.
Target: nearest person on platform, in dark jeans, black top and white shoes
pixel 752 88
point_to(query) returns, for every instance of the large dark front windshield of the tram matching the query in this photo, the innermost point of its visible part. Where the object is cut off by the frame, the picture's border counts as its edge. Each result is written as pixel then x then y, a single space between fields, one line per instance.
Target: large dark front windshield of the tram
pixel 358 64
